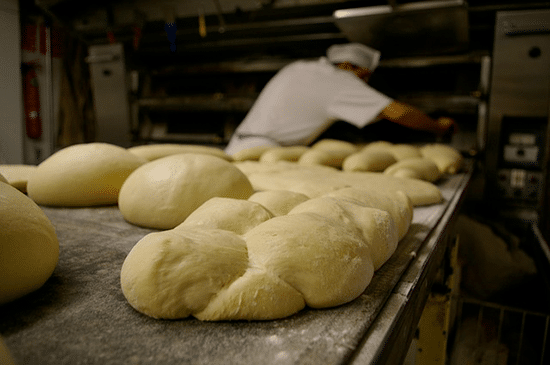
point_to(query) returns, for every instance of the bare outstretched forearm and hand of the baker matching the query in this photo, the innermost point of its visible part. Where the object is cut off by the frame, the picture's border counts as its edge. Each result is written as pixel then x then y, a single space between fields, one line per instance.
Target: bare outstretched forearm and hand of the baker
pixel 411 117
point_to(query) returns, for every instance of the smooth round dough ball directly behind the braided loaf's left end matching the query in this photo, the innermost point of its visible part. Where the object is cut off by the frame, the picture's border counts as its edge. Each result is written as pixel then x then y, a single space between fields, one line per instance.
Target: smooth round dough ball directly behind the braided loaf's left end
pixel 163 193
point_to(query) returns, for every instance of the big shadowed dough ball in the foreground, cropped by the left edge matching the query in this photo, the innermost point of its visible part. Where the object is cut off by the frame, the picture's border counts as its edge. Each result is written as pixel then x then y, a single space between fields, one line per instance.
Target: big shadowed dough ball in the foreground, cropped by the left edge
pixel 29 249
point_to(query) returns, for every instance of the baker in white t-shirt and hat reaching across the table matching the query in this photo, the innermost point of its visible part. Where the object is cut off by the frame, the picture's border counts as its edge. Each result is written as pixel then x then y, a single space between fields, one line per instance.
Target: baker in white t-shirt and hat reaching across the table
pixel 306 97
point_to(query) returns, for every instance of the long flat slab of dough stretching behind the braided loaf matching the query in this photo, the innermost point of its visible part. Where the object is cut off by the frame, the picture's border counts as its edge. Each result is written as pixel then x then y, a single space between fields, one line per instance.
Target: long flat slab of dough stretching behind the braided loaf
pixel 314 181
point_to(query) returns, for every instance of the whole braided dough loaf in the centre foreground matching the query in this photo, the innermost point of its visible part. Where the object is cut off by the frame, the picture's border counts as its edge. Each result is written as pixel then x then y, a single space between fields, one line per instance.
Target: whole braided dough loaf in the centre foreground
pixel 233 260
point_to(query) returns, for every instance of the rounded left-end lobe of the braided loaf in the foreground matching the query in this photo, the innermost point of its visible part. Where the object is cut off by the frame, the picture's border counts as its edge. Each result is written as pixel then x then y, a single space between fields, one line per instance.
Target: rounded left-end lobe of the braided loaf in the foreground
pixel 173 274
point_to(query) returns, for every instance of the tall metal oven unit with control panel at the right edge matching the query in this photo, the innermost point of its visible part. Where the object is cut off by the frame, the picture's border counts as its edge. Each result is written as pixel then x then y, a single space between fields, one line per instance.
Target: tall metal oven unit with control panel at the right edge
pixel 517 147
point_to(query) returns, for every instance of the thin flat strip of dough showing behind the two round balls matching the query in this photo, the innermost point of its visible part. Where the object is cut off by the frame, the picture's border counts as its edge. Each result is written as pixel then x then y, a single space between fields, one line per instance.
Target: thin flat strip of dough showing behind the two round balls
pixel 155 151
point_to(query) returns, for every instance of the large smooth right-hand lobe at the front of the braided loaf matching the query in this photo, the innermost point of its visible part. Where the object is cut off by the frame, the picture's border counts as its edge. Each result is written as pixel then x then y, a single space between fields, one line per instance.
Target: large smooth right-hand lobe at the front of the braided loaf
pixel 325 260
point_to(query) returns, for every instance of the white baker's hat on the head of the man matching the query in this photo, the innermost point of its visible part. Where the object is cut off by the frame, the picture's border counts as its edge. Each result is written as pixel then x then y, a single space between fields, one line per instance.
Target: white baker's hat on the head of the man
pixel 355 53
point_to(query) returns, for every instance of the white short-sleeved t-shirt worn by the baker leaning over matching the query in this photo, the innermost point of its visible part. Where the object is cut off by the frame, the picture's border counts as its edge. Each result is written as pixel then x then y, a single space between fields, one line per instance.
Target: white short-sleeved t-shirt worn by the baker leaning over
pixel 302 101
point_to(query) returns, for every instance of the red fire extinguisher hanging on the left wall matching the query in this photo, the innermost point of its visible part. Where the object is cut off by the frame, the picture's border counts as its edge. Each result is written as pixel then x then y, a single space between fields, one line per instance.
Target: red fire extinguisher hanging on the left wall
pixel 31 103
